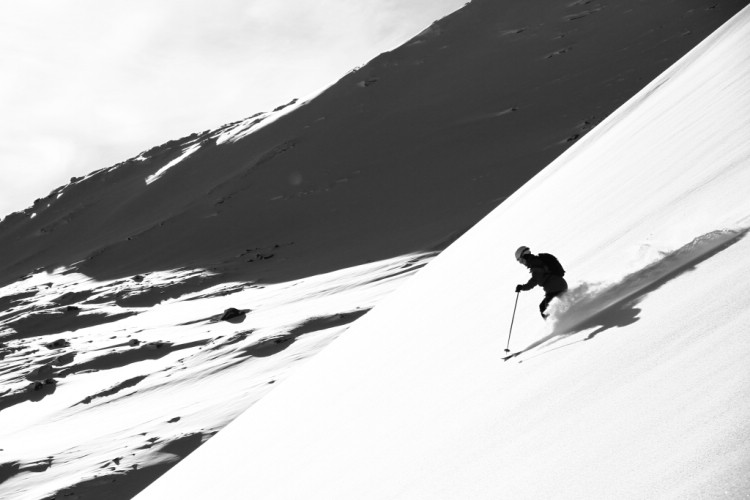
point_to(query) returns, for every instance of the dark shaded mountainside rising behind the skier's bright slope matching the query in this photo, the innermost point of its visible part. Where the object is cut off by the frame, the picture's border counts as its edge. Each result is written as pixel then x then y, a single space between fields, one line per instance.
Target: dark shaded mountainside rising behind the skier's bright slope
pixel 420 144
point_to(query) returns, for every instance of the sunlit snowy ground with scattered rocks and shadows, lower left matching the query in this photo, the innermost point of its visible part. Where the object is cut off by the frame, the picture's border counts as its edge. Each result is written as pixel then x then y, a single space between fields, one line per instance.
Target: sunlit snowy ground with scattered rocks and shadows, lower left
pixel 114 392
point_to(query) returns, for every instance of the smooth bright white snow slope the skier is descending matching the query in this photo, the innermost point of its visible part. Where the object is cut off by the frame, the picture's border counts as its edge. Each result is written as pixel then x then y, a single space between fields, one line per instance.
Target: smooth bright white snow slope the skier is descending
pixel 643 394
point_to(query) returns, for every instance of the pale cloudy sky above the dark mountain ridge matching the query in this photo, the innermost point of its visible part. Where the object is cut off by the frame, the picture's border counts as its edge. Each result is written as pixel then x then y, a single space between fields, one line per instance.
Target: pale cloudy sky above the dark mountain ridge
pixel 86 84
